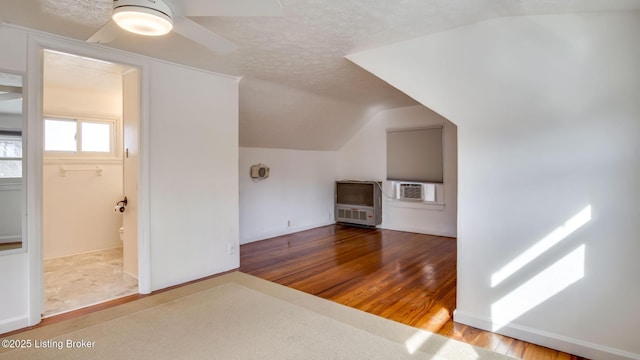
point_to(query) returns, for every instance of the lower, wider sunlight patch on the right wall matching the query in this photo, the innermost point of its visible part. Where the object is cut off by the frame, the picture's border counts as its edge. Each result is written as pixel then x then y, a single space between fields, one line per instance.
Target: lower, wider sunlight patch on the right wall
pixel 538 289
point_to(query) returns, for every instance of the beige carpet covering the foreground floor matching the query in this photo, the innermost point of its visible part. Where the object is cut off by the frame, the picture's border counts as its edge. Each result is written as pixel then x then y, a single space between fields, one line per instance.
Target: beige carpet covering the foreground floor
pixel 234 316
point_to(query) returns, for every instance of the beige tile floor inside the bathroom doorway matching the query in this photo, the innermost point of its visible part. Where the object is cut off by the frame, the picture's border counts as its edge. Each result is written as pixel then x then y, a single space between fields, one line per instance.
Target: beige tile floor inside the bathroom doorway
pixel 77 281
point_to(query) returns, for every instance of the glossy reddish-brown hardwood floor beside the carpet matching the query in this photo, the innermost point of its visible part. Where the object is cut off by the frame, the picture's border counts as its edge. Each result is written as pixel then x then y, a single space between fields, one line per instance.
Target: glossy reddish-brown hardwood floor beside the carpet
pixel 405 277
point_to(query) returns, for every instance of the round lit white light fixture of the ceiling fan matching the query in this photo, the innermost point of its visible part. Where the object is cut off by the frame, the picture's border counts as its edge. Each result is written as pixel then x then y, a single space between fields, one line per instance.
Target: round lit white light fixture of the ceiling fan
pixel 143 17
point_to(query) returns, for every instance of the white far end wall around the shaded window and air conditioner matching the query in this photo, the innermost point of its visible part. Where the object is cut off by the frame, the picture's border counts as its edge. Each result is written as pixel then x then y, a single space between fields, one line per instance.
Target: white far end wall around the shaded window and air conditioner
pixel 364 156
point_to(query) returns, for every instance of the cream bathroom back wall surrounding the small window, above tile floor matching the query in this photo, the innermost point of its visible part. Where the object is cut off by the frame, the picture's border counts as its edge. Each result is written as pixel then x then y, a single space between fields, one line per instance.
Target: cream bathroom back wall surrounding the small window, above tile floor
pixel 78 214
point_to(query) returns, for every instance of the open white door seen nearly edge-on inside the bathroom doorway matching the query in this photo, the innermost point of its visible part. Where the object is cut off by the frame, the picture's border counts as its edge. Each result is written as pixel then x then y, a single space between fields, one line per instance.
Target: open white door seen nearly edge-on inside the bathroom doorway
pixel 131 159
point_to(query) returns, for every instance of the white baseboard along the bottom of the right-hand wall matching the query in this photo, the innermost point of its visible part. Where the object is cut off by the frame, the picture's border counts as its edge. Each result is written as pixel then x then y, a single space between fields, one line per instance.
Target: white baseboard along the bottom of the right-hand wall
pixel 554 341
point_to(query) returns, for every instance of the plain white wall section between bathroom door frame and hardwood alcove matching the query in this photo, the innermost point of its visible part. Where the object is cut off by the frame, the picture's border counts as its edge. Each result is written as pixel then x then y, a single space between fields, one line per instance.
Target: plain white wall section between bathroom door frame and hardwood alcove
pixel 193 176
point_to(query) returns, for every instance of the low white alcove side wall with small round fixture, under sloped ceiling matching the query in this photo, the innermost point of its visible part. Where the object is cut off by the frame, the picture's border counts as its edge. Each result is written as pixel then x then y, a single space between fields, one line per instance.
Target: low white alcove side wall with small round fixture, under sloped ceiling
pixel 297 195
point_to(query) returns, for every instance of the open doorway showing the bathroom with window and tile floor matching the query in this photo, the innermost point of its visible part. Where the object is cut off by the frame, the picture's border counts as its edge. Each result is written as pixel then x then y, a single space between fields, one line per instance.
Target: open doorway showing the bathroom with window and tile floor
pixel 91 121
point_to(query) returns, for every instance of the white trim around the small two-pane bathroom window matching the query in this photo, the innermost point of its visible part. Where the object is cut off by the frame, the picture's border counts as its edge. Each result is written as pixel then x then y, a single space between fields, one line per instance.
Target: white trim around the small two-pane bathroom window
pixel 115 122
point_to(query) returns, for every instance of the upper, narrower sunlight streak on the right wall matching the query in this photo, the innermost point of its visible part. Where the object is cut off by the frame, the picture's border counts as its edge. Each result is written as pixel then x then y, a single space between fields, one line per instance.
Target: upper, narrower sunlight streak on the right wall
pixel 542 246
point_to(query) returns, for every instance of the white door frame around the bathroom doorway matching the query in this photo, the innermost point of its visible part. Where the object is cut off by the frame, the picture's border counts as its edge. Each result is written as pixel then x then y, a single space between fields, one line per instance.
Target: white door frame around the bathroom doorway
pixel 38 42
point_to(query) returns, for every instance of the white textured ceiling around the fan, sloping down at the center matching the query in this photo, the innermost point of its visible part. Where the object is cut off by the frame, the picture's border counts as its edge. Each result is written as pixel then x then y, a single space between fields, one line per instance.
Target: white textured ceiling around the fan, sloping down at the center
pixel 298 91
